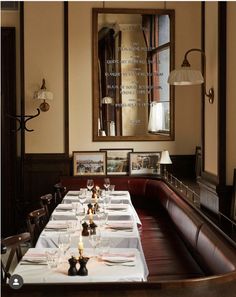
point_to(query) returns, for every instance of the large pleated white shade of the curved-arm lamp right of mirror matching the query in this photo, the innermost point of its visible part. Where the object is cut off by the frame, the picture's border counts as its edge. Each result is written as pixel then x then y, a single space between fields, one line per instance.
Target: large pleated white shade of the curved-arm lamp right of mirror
pixel 185 76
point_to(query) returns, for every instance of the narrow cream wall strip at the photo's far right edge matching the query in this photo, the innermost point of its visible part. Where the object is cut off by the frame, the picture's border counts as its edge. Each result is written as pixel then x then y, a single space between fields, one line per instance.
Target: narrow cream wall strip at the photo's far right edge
pixel 231 93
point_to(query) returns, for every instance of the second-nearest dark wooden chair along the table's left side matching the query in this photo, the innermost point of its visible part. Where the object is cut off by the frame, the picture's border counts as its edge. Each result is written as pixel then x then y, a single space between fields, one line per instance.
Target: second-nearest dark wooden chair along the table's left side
pixel 36 221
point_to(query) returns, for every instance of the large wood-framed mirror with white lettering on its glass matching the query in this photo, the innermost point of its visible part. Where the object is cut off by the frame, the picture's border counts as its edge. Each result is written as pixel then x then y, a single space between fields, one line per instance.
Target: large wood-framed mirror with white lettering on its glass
pixel 133 54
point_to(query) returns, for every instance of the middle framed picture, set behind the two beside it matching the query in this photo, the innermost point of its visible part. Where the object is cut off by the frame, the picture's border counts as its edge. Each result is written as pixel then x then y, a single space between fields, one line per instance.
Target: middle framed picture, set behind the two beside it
pixel 117 161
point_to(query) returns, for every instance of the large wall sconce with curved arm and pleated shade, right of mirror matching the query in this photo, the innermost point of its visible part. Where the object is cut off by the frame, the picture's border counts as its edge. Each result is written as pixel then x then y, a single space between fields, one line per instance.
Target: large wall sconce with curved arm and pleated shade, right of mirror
pixel 186 76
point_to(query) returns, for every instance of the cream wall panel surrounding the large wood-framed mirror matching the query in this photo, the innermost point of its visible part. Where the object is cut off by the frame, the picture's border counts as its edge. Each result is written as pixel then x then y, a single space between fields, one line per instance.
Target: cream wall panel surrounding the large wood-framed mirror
pixel 187 104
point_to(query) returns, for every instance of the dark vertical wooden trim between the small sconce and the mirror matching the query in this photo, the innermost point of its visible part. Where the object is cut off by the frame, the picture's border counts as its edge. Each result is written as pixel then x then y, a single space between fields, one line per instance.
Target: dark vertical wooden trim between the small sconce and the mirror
pixel 66 80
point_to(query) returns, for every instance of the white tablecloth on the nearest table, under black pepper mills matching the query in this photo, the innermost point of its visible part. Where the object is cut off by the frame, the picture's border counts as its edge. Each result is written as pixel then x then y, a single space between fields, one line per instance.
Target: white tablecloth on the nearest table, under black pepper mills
pixel 98 271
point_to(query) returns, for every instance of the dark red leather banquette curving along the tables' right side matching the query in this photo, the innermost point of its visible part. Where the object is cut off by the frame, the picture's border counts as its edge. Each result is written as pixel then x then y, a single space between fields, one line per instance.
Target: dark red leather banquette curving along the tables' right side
pixel 178 241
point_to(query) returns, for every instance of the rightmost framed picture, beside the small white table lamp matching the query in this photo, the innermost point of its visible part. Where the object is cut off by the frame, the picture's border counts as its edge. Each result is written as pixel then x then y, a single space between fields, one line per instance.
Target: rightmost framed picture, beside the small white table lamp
pixel 144 163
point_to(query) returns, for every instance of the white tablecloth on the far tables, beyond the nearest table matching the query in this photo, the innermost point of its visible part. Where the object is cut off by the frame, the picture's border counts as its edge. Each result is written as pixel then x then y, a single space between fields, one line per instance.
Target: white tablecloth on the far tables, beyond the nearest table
pixel 64 215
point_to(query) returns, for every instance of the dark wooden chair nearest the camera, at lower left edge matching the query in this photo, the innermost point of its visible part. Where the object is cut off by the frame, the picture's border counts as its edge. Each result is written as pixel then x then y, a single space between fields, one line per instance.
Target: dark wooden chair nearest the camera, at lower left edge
pixel 14 244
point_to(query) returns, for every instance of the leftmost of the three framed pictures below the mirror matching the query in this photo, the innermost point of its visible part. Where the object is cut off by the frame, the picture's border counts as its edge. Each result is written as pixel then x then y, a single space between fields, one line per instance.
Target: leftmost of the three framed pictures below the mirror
pixel 89 163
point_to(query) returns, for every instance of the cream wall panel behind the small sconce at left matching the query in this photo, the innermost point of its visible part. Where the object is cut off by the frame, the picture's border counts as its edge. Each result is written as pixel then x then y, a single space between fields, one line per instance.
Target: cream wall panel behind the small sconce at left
pixel 44 50
